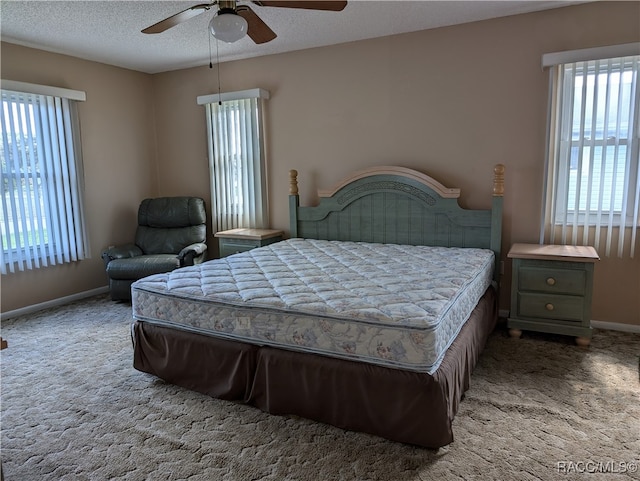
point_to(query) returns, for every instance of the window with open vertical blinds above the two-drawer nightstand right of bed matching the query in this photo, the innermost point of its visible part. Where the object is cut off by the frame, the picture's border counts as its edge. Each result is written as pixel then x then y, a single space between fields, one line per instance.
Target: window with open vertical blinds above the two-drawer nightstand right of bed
pixel 593 183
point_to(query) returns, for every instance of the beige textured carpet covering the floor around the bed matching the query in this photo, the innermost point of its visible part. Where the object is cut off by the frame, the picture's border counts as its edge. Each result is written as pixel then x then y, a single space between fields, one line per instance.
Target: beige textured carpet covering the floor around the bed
pixel 73 408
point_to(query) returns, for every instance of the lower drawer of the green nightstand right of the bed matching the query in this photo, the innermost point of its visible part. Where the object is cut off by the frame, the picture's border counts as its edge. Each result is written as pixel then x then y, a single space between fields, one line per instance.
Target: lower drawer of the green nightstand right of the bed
pixel 549 306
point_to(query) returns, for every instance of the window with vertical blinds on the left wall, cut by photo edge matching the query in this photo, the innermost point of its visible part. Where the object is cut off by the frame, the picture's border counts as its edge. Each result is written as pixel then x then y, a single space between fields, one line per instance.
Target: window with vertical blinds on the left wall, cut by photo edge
pixel 42 219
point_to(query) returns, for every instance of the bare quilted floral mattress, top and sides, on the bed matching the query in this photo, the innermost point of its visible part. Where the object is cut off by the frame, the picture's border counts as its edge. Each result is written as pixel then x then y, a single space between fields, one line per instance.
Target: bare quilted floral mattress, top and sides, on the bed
pixel 398 306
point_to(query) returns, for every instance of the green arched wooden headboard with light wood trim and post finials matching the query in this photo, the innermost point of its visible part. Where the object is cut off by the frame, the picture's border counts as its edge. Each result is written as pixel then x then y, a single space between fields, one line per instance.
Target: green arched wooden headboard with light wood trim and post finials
pixel 397 205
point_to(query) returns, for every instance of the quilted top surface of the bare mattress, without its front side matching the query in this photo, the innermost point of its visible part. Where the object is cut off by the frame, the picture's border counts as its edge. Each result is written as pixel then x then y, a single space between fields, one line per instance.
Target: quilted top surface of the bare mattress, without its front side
pixel 386 284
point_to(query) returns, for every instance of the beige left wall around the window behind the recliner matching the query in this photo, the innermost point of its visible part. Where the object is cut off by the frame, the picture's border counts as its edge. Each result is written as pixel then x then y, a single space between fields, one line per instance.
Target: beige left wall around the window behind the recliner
pixel 118 145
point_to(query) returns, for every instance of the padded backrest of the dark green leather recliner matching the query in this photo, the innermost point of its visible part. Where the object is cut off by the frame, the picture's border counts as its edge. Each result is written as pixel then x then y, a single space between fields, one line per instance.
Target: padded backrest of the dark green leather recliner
pixel 168 224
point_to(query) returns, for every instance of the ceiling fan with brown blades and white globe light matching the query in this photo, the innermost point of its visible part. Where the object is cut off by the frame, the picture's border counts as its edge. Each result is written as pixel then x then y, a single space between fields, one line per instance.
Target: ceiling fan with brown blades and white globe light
pixel 232 22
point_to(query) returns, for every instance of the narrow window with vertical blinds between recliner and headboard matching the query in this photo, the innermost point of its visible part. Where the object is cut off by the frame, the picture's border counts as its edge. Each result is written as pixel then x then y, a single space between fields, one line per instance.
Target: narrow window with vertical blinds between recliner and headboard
pixel 237 159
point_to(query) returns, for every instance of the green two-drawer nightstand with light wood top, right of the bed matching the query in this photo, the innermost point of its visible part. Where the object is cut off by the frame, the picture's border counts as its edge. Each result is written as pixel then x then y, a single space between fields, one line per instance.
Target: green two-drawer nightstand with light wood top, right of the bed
pixel 551 290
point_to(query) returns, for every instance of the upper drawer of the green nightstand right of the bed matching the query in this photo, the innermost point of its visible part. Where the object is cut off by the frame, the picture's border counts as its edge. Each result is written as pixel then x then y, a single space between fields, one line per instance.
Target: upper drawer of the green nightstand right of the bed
pixel 552 280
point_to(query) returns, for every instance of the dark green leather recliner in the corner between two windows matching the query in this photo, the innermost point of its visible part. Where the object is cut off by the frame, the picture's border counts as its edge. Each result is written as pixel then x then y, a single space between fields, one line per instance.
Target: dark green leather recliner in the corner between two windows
pixel 171 233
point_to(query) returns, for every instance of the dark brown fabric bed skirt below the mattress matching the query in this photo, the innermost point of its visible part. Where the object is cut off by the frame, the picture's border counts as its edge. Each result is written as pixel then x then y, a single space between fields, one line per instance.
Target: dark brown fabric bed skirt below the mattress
pixel 404 406
